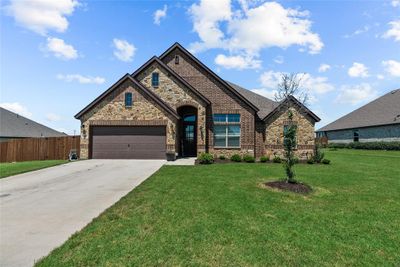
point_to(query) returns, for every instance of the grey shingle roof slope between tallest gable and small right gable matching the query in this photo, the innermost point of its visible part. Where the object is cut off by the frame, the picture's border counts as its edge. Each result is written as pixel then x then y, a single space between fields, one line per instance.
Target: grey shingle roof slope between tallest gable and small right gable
pixel 264 104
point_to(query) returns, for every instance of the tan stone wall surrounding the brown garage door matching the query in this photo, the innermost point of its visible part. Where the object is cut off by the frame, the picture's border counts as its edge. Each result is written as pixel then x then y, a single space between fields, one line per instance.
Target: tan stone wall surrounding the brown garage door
pixel 112 109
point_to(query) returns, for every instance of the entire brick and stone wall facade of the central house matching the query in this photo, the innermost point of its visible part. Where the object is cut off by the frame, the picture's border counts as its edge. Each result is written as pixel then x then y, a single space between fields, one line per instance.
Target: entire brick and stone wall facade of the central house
pixel 191 84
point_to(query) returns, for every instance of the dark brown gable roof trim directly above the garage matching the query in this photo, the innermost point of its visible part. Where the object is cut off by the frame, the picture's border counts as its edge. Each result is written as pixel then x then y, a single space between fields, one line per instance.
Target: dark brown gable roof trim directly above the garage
pixel 149 93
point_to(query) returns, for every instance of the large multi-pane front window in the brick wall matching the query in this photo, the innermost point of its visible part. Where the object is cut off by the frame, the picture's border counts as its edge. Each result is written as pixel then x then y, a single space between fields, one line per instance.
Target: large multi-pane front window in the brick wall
pixel 227 130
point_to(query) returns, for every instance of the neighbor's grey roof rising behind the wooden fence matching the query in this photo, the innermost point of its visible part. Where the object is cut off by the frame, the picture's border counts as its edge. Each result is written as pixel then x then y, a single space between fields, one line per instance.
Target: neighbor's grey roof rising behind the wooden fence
pixel 14 126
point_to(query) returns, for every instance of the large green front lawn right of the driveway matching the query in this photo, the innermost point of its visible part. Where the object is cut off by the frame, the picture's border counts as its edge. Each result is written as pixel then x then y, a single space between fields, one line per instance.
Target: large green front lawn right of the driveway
pixel 218 215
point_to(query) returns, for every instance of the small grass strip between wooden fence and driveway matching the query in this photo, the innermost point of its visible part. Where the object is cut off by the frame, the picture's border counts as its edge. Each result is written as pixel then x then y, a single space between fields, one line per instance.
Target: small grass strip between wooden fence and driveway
pixel 8 169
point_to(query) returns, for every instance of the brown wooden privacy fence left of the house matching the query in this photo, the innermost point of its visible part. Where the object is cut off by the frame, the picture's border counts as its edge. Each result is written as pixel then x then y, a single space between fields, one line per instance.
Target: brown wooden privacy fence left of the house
pixel 46 148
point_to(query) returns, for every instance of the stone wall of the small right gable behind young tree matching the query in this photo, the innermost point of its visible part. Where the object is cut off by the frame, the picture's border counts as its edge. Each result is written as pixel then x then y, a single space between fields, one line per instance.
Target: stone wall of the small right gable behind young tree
pixel 305 133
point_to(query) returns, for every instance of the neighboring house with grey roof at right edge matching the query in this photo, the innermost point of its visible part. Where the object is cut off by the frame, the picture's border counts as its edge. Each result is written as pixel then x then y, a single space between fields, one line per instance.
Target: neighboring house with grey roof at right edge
pixel 378 120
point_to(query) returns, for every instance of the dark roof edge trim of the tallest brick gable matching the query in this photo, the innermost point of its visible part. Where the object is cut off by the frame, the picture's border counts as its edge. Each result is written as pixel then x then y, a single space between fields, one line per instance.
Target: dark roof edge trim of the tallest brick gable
pixel 209 71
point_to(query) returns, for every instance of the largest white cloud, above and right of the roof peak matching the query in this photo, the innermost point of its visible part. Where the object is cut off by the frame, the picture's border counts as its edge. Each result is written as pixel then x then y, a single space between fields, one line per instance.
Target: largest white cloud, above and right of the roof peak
pixel 249 29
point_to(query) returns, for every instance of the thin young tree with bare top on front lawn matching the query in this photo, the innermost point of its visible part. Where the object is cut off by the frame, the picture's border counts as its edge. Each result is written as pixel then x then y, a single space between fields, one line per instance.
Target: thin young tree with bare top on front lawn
pixel 288 87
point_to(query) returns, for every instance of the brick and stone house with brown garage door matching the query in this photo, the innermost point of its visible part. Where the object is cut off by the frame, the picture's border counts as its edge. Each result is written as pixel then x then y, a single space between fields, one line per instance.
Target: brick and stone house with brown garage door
pixel 175 104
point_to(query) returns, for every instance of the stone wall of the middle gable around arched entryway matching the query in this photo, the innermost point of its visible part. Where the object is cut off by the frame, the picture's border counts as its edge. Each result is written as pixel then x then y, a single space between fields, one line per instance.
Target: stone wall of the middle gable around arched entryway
pixel 174 93
